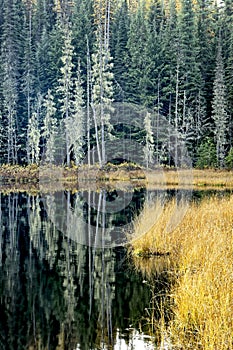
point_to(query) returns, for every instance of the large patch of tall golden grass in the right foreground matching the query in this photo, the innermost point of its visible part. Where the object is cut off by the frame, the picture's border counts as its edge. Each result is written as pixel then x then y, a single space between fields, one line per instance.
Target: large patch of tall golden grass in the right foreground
pixel 201 262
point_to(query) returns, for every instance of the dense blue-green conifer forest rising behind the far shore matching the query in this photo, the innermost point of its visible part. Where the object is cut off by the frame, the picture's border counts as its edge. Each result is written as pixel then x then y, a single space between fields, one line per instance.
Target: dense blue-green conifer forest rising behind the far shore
pixel 61 60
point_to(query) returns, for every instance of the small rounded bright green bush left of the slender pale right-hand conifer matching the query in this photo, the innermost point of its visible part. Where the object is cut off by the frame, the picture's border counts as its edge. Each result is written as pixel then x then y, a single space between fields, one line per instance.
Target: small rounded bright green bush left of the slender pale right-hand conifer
pixel 206 154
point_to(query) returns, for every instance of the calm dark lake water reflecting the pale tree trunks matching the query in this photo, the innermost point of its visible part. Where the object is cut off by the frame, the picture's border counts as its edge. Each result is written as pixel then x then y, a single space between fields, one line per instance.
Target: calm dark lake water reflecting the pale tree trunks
pixel 66 280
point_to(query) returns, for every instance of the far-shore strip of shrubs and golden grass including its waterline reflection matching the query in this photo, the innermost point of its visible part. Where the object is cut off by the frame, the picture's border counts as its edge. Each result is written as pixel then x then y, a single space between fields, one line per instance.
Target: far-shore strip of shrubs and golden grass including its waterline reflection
pixel 32 175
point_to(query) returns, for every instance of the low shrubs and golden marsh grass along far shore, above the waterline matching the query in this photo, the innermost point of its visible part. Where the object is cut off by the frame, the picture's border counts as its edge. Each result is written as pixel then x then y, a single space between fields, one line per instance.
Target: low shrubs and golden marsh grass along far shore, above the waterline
pixel 122 172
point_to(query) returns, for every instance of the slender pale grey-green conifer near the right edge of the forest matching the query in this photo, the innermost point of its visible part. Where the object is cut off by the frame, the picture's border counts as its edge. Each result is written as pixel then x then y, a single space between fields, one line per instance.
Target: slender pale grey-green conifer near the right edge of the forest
pixel 219 106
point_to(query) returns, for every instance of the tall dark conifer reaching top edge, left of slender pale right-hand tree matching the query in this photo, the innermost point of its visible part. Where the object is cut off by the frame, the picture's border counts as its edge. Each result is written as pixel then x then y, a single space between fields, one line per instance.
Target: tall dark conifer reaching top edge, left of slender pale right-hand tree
pixel 191 103
